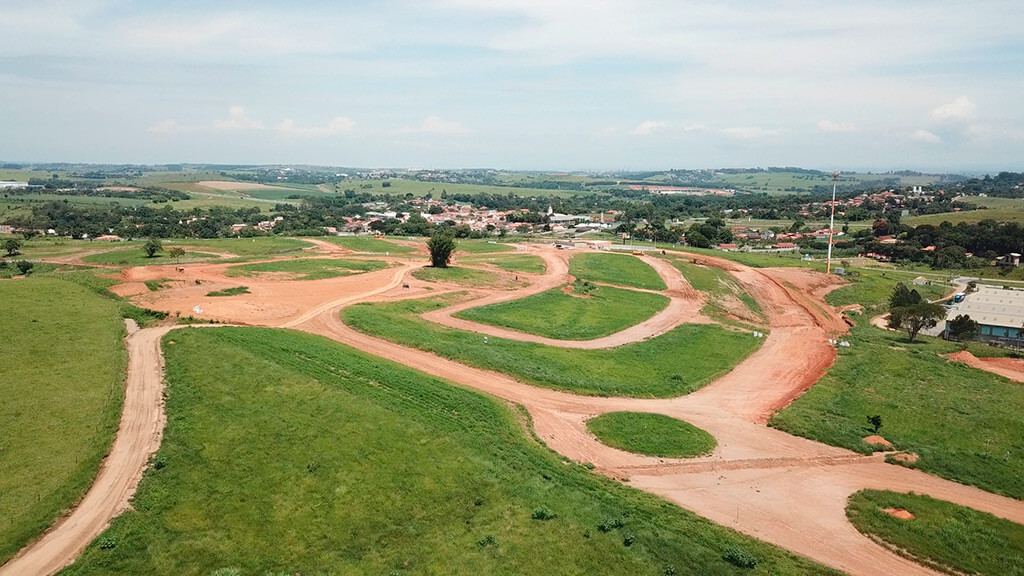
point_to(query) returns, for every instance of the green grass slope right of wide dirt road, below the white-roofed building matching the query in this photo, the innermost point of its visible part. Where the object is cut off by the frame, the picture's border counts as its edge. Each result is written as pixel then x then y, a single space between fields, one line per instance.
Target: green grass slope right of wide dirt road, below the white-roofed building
pixel 965 424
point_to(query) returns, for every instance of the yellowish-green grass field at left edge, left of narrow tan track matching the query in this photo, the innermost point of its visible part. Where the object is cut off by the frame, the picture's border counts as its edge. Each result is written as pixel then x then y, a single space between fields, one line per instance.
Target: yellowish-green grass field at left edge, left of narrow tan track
pixel 62 372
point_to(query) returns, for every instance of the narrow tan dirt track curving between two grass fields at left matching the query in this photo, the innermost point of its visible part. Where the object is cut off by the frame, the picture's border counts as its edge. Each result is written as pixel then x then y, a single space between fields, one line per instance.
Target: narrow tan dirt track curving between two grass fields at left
pixel 138 438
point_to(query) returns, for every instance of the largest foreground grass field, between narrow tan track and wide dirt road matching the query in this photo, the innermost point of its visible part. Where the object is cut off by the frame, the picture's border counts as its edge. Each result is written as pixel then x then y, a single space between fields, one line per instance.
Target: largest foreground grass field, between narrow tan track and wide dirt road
pixel 288 454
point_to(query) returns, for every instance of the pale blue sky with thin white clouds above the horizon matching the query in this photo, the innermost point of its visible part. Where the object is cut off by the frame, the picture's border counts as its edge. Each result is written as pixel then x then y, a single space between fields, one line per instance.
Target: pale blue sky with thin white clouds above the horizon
pixel 521 85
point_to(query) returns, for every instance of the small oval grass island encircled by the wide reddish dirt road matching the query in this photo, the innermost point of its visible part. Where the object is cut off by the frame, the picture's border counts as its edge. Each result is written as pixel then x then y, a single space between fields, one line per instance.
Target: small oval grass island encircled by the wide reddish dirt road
pixel 654 435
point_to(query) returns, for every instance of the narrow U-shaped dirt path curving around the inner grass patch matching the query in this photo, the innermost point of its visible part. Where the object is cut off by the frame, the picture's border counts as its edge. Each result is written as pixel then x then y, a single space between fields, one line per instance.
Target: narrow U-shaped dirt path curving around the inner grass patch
pixel 685 307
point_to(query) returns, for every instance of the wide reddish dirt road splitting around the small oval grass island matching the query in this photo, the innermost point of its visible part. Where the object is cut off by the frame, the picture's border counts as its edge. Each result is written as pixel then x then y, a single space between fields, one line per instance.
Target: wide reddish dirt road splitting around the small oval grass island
pixel 783 489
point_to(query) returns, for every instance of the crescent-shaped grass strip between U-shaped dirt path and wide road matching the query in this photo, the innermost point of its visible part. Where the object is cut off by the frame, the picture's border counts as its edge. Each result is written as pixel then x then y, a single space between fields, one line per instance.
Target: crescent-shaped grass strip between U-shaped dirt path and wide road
pixel 675 363
